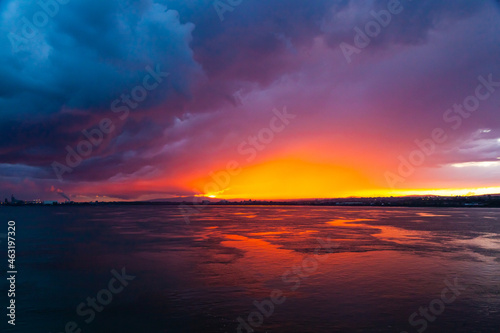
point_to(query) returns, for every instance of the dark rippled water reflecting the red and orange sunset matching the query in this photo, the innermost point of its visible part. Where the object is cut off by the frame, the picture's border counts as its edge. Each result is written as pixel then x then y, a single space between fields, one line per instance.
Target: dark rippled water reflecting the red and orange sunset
pixel 329 269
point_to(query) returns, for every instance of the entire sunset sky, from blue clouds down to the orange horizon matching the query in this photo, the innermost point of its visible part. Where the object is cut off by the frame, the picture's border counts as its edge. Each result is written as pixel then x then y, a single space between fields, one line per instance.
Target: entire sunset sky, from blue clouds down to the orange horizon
pixel 239 99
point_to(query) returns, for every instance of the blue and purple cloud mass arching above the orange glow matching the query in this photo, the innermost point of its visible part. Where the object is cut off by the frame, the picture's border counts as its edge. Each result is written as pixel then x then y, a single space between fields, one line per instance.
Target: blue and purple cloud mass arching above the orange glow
pixel 91 52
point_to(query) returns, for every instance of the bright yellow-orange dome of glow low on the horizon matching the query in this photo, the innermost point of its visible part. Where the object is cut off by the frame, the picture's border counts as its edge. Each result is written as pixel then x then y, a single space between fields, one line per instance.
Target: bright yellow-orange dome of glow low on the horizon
pixel 294 179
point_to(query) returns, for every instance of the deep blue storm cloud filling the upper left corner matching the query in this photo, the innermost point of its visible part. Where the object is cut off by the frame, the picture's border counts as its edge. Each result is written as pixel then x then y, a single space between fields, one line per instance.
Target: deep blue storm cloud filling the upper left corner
pixel 89 53
